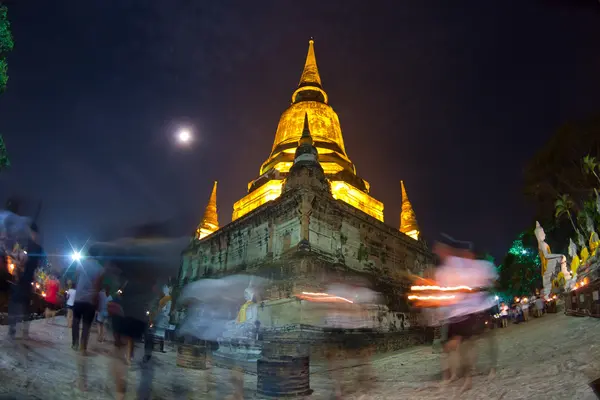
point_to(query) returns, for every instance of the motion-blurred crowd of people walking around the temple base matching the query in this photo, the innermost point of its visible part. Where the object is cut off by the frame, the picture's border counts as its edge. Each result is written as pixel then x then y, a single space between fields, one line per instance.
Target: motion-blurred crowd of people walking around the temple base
pixel 121 286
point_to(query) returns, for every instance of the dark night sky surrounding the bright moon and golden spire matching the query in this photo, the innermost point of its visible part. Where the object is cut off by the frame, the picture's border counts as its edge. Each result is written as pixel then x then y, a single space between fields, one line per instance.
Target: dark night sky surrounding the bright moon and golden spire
pixel 451 97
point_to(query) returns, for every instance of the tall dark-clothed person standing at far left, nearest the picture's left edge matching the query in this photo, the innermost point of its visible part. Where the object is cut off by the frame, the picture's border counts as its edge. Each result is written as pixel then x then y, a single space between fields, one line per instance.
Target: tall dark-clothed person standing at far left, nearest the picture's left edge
pixel 21 290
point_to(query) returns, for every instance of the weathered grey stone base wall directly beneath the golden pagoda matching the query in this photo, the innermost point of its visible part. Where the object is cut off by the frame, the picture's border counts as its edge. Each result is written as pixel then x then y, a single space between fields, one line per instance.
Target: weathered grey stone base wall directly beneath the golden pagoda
pixel 343 243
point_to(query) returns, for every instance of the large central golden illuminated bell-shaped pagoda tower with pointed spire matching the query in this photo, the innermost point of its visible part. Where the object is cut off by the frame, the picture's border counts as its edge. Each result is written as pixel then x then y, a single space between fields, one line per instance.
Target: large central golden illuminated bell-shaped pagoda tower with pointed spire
pixel 309 101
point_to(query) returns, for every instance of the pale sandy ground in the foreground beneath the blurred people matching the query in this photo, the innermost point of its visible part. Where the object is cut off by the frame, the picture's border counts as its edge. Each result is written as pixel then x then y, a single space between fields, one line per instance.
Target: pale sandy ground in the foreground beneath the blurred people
pixel 553 357
